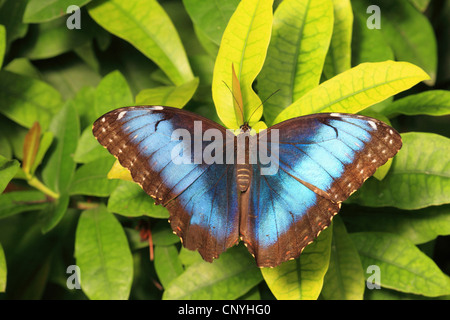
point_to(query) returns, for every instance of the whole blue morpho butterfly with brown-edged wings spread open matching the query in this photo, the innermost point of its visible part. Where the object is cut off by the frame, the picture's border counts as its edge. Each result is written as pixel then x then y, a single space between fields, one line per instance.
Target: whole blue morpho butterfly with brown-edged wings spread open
pixel 321 160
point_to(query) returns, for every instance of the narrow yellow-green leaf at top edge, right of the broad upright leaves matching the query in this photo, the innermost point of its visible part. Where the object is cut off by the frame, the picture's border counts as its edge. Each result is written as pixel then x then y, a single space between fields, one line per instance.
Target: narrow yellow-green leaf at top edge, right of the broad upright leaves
pixel 339 55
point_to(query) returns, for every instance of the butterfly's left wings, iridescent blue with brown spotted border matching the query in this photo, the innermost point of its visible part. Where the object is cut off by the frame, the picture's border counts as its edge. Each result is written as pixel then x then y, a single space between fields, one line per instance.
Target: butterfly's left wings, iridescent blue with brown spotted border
pixel 201 198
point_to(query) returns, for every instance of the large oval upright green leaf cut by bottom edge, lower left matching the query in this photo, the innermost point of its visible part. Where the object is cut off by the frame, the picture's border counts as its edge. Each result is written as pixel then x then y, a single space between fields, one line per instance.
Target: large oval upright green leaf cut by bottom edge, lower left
pixel 103 255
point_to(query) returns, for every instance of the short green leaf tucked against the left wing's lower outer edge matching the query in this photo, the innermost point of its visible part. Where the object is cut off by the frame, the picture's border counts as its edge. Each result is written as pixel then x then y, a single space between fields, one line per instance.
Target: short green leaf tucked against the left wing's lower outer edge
pixel 130 200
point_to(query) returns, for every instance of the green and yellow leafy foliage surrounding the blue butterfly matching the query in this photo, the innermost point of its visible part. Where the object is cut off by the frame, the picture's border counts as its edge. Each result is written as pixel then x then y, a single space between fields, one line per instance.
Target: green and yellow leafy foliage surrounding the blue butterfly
pixel 59 208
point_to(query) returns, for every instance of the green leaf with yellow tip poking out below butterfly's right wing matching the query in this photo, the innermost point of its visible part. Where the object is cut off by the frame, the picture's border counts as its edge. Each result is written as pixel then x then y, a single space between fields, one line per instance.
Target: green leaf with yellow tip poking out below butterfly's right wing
pixel 302 278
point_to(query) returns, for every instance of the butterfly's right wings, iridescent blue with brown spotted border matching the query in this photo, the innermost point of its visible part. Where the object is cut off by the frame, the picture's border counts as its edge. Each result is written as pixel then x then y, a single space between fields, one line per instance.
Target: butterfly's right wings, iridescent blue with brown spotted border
pixel 323 159
